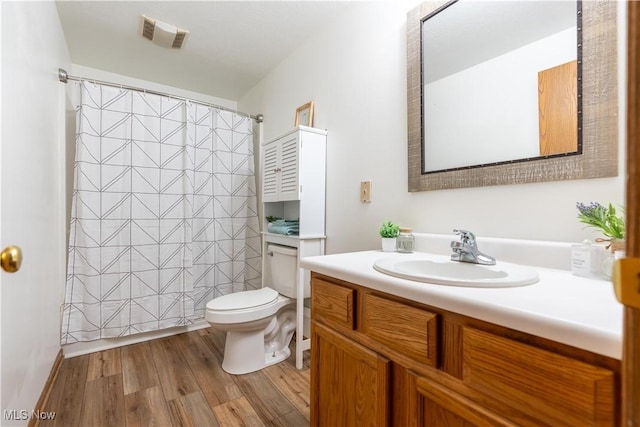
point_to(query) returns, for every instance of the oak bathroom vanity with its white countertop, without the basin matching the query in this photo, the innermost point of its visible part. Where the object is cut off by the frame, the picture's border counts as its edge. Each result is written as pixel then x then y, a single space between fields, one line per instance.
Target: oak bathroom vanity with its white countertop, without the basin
pixel 391 351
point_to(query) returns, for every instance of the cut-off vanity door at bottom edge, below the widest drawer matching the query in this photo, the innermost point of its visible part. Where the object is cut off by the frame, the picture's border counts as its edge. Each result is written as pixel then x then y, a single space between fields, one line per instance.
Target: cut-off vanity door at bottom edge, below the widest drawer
pixel 436 405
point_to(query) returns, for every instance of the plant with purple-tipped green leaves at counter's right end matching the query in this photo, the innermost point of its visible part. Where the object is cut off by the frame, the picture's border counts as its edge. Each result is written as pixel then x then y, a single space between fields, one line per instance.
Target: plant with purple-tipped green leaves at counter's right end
pixel 606 220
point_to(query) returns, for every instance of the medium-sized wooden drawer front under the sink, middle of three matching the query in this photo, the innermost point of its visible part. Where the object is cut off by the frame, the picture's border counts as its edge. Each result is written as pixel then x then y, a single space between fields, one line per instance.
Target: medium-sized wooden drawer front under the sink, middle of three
pixel 403 328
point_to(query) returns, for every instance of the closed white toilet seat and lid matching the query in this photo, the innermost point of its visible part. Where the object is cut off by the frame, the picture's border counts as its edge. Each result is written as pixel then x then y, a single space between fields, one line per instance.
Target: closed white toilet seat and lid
pixel 245 306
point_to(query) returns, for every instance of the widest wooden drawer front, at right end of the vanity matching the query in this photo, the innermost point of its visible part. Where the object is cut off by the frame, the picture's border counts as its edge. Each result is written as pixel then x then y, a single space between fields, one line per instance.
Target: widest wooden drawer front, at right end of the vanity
pixel 560 390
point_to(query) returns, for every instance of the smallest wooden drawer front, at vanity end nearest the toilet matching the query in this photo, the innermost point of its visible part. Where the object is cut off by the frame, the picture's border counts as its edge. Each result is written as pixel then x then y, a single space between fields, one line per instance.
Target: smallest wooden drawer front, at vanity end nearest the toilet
pixel 332 303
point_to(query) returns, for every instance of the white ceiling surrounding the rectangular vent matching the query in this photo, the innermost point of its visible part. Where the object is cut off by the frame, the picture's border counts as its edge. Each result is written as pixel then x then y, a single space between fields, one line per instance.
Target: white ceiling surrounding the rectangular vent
pixel 232 45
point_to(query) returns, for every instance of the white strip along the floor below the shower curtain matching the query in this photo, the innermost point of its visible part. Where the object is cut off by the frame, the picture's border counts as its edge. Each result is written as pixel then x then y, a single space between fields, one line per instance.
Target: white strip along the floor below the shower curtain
pixel 82 348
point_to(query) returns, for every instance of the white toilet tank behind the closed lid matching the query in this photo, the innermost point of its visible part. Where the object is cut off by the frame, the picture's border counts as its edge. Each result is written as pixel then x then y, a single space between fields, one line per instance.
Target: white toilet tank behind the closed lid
pixel 281 270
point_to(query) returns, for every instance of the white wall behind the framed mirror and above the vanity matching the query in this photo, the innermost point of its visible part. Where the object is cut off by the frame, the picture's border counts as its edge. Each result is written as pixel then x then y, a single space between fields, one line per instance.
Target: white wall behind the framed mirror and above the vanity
pixel 355 72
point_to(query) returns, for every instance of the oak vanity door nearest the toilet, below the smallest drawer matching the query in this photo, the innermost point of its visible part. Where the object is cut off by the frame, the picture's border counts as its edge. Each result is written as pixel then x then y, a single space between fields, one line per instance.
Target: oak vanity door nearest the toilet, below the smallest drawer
pixel 350 384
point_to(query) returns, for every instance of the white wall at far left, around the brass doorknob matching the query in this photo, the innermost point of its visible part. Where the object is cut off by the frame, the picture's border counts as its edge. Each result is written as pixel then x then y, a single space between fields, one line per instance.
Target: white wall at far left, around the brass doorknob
pixel 33 198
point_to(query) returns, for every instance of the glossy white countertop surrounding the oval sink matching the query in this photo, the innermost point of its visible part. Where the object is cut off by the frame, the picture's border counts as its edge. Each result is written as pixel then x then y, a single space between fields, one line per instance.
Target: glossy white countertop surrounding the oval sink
pixel 577 311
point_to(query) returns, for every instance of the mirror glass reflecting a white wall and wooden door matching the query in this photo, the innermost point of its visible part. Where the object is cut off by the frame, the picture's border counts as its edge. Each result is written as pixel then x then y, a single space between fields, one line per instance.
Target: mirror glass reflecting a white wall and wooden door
pixel 506 88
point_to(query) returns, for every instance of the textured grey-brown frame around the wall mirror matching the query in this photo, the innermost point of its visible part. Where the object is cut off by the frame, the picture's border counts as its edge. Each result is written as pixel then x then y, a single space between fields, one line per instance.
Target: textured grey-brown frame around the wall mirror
pixel 596 157
